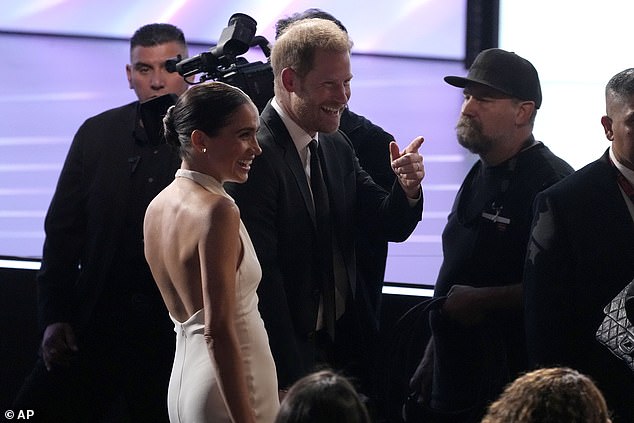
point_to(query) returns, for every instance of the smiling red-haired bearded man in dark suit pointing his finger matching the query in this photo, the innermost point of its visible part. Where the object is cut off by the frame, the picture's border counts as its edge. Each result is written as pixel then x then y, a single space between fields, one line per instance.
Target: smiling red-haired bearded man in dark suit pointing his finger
pixel 311 65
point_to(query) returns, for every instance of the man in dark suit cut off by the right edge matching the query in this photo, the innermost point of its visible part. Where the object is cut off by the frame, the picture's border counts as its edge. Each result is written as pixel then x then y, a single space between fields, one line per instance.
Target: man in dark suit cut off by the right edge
pixel 581 255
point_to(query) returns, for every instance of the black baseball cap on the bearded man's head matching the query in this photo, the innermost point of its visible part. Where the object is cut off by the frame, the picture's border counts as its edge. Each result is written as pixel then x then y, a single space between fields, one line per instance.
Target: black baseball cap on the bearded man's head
pixel 504 71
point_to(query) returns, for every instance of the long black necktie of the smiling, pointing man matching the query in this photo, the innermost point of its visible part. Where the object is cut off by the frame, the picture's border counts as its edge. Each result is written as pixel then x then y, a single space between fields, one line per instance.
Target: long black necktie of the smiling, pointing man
pixel 324 238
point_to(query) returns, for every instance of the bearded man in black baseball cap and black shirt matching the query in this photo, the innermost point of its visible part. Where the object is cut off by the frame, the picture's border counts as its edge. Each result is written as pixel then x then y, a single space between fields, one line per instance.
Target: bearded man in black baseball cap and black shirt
pixel 477 344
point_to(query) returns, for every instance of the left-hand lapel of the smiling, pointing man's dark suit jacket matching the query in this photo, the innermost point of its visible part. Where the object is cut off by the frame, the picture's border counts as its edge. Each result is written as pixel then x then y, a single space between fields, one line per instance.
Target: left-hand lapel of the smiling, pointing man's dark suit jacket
pixel 290 156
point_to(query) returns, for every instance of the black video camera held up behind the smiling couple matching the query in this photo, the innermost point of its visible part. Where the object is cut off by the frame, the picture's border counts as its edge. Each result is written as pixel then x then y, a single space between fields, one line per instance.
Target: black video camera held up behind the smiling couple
pixel 221 63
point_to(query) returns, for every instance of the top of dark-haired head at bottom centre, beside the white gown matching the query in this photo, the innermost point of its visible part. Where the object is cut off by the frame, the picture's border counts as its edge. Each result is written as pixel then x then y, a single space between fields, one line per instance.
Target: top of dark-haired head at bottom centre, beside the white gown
pixel 322 397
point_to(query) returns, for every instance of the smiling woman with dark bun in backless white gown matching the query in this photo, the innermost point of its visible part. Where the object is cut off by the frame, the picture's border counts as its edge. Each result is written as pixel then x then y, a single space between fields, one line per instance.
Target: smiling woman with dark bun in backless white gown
pixel 205 266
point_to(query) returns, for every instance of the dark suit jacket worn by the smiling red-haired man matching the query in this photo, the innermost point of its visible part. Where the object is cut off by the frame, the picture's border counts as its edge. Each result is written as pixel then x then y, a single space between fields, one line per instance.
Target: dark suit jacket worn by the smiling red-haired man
pixel 276 207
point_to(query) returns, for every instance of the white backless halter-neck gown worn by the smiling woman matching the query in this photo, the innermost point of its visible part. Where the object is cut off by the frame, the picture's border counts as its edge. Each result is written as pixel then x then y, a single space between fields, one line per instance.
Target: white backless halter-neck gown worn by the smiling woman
pixel 194 395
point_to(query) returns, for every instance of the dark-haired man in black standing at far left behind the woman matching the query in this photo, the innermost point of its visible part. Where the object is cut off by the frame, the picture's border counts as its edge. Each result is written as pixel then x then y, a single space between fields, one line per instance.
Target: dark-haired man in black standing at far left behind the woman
pixel 106 331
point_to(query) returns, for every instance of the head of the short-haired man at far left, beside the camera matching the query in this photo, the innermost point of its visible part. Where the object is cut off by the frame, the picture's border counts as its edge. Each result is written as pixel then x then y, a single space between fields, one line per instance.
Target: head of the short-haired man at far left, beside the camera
pixel 150 48
